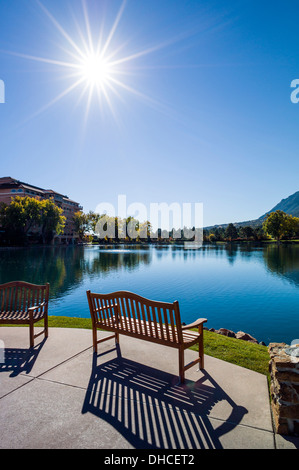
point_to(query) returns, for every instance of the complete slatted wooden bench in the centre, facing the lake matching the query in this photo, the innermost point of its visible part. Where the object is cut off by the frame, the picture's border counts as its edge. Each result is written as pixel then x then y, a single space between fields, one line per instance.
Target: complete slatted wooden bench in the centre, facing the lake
pixel 159 322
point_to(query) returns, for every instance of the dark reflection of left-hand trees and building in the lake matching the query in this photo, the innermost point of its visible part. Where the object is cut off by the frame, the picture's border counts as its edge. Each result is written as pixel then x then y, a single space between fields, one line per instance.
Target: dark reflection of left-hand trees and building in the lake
pixel 65 267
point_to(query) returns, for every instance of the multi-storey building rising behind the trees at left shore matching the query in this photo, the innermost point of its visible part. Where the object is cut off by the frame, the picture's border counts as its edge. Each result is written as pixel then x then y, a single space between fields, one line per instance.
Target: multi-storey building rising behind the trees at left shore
pixel 10 188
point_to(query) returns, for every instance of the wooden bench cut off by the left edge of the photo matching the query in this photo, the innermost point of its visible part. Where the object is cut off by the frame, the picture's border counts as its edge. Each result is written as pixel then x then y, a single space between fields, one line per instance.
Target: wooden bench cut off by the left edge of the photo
pixel 24 303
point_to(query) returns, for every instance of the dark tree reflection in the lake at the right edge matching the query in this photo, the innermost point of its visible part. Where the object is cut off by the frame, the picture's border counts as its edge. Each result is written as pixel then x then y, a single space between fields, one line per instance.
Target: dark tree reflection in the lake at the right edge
pixel 283 260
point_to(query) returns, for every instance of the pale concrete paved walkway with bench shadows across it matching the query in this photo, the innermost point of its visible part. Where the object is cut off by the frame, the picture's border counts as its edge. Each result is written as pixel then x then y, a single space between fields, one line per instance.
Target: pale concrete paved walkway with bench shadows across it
pixel 60 396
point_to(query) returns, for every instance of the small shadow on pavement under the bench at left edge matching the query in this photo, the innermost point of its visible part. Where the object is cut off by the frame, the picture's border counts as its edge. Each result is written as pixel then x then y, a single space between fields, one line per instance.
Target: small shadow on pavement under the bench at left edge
pixel 20 360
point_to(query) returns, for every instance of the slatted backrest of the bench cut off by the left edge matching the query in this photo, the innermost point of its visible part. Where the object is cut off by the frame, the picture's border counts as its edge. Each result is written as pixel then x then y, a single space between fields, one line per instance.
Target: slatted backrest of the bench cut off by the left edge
pixel 18 296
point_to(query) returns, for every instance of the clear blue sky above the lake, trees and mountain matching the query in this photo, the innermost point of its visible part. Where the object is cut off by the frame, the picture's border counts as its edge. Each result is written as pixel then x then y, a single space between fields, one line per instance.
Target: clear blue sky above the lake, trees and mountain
pixel 202 112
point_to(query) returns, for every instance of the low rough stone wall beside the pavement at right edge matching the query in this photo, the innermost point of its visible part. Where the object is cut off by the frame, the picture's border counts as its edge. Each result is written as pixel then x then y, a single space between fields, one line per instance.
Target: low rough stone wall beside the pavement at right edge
pixel 284 389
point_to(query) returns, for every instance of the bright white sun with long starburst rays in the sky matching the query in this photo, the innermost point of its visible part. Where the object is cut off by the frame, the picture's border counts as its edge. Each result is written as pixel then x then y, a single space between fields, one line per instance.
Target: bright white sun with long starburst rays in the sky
pixel 95 65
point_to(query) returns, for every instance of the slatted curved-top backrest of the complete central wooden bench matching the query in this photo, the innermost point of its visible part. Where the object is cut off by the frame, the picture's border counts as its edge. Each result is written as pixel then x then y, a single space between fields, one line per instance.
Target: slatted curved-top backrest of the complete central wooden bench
pixel 136 315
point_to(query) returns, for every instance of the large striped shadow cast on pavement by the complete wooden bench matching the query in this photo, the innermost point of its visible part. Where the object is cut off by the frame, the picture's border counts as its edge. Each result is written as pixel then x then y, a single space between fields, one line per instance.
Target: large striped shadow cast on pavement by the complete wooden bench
pixel 152 411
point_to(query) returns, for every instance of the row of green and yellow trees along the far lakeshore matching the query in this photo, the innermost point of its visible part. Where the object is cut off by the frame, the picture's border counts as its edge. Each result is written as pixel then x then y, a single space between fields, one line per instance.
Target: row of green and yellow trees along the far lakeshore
pixel 29 220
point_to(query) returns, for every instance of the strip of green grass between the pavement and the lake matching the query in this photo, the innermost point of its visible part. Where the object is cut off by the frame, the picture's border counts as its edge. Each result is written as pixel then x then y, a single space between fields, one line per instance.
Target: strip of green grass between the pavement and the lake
pixel 239 352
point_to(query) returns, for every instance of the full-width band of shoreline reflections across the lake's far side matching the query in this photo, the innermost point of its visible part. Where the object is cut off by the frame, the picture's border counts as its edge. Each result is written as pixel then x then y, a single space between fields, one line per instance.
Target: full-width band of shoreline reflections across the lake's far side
pixel 66 266
